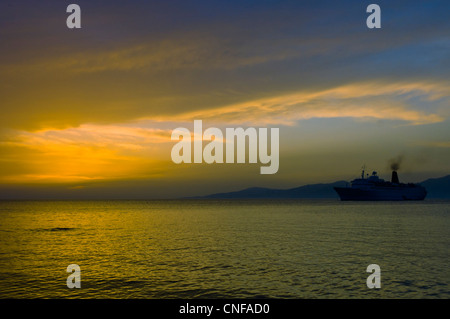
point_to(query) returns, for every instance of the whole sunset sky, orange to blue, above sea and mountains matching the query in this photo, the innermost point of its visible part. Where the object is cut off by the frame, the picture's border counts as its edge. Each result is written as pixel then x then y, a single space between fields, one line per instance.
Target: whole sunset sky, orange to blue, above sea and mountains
pixel 88 113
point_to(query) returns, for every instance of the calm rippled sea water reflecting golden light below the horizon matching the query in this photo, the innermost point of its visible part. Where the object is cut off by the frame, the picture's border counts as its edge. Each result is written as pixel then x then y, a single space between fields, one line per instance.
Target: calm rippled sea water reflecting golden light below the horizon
pixel 224 249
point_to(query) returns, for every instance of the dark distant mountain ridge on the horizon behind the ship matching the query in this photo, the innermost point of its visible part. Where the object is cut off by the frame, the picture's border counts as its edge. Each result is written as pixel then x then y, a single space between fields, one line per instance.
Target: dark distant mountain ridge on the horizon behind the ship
pixel 438 188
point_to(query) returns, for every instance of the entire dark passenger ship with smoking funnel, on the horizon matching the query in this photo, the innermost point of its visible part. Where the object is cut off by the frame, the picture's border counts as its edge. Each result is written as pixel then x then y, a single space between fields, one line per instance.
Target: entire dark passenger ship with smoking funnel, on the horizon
pixel 373 188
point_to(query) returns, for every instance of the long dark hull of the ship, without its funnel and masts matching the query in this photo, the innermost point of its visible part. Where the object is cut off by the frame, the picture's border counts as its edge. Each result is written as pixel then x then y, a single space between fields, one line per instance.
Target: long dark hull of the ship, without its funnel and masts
pixel 381 193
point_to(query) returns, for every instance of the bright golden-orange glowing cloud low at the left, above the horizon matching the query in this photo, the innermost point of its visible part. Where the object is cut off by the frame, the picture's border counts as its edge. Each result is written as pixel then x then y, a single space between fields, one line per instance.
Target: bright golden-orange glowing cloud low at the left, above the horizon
pixel 83 154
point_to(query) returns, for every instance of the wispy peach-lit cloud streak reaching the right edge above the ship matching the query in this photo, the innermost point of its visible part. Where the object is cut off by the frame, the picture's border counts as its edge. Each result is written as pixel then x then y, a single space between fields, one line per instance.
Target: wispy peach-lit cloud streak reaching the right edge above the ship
pixel 374 100
